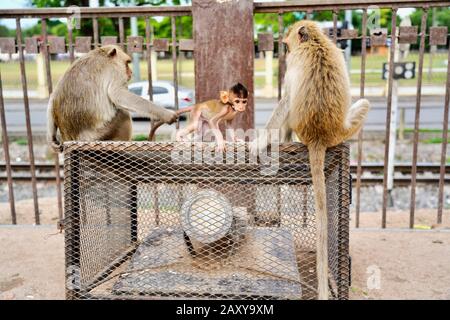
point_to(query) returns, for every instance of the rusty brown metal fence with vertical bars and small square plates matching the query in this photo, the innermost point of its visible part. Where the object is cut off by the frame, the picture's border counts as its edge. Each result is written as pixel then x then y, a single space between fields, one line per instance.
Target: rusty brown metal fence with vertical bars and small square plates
pixel 48 45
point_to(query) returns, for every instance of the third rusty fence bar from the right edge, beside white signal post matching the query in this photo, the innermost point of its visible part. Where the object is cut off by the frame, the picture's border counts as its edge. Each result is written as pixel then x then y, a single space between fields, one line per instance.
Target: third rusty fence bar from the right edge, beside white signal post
pixel 388 116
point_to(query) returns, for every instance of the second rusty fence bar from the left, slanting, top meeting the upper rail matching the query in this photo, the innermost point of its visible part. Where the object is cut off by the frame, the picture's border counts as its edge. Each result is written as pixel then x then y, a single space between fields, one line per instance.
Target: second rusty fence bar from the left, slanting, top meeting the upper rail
pixel 28 121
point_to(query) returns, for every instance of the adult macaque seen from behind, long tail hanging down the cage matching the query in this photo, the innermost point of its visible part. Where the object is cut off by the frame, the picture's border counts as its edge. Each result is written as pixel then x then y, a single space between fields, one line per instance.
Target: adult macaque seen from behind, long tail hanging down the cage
pixel 316 106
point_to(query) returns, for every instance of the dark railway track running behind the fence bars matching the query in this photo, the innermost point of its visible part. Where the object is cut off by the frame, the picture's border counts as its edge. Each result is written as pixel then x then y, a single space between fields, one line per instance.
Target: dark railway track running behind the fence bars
pixel 427 173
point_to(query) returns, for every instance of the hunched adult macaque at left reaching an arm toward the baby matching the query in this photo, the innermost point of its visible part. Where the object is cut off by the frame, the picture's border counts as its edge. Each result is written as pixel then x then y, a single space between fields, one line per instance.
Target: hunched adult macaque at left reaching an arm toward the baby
pixel 92 102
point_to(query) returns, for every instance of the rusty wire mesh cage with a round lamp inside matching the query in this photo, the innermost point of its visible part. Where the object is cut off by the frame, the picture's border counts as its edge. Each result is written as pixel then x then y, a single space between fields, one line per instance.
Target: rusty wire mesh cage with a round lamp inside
pixel 155 220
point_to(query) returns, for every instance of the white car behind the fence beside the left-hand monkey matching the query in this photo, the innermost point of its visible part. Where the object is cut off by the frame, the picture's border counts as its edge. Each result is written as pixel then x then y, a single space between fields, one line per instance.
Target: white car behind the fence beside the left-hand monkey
pixel 163 94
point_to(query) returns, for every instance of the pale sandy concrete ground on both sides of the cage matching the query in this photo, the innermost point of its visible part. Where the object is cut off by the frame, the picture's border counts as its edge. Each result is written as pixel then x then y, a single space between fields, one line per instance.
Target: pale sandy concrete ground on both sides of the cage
pixel 386 264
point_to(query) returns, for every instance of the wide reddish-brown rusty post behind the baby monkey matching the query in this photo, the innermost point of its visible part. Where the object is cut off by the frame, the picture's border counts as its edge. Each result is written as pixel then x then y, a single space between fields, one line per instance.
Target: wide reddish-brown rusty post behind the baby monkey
pixel 224 51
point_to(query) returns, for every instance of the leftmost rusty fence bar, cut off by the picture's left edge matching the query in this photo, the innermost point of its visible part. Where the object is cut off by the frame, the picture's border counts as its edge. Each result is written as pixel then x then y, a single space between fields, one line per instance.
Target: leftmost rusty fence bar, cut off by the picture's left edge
pixel 5 140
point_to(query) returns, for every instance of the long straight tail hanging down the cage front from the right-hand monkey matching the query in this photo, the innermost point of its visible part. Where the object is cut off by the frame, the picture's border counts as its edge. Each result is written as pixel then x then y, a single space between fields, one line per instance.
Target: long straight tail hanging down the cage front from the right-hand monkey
pixel 317 163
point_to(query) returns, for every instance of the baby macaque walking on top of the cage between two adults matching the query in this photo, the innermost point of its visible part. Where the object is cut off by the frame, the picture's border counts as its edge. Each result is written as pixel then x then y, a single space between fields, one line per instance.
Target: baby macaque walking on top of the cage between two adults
pixel 214 111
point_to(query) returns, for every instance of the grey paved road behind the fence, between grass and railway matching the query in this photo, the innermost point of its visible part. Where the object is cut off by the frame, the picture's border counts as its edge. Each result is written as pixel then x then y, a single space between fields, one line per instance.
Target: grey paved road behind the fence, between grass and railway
pixel 431 114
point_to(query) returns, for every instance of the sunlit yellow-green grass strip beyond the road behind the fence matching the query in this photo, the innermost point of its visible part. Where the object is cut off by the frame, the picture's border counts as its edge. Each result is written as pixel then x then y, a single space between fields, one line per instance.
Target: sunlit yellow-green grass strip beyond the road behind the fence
pixel 11 71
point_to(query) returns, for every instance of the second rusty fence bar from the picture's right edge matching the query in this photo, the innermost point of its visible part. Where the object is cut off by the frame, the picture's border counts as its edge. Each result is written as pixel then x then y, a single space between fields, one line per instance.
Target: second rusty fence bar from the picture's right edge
pixel 423 30
